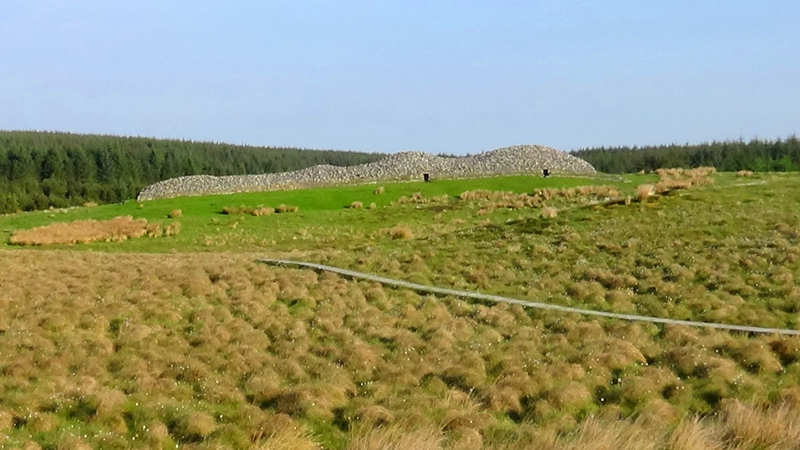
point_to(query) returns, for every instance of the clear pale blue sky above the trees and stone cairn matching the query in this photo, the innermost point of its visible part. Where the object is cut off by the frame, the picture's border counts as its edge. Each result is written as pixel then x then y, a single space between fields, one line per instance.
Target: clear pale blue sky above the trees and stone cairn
pixel 438 76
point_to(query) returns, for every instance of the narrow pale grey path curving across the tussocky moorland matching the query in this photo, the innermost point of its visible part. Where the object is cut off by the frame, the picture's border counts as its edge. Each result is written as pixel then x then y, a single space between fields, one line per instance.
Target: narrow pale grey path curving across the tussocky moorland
pixel 496 298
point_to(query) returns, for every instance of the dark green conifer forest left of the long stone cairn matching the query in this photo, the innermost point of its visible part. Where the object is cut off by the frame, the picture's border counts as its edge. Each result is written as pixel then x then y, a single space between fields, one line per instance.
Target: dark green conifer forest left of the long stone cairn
pixel 43 169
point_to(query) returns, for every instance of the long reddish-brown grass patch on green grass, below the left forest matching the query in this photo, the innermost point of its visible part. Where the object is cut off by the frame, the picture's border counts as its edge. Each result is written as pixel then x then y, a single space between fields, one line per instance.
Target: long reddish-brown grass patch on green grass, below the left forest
pixel 117 229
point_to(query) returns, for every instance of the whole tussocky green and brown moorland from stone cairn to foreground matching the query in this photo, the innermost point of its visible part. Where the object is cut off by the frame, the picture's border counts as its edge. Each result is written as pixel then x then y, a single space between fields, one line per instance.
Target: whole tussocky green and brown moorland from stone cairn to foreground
pixel 187 341
